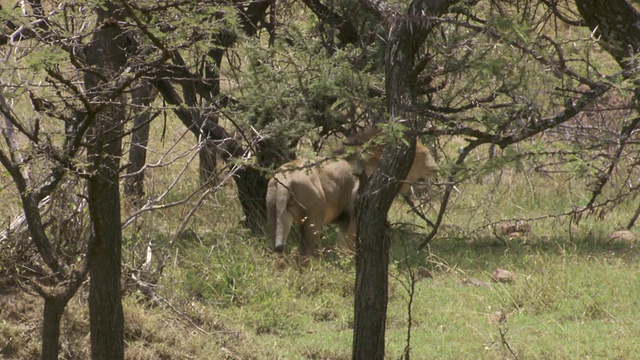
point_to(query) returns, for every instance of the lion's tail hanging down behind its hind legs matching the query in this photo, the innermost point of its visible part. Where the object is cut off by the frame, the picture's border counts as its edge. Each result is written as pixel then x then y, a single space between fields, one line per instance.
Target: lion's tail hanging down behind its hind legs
pixel 278 215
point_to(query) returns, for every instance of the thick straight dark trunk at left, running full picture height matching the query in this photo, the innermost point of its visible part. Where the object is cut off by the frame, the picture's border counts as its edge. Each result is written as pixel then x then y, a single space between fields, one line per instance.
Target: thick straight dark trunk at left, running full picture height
pixel 107 54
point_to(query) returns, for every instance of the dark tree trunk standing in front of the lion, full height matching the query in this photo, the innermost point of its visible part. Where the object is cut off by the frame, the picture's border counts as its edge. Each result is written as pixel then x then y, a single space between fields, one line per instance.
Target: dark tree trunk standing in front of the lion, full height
pixel 375 197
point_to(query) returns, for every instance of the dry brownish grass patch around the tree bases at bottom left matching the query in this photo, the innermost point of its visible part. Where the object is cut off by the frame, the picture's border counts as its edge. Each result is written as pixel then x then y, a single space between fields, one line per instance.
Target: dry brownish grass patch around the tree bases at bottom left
pixel 151 332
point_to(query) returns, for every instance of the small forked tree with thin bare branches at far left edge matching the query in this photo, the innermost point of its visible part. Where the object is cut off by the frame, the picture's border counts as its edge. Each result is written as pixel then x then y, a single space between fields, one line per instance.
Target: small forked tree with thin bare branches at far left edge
pixel 57 277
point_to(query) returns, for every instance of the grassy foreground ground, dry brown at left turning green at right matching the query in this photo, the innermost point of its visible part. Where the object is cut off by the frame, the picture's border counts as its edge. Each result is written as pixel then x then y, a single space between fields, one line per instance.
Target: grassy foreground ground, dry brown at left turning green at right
pixel 569 301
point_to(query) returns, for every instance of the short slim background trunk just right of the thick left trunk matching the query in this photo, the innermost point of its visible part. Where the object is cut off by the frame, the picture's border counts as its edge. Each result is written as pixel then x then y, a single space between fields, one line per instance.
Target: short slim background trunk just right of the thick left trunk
pixel 134 183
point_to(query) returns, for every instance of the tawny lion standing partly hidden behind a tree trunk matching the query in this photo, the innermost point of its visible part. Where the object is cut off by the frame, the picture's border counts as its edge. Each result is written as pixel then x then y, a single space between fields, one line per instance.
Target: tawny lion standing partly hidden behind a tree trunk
pixel 316 192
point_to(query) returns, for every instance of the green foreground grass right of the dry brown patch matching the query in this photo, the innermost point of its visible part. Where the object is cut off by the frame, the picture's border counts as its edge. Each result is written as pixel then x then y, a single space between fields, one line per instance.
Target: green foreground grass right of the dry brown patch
pixel 575 303
